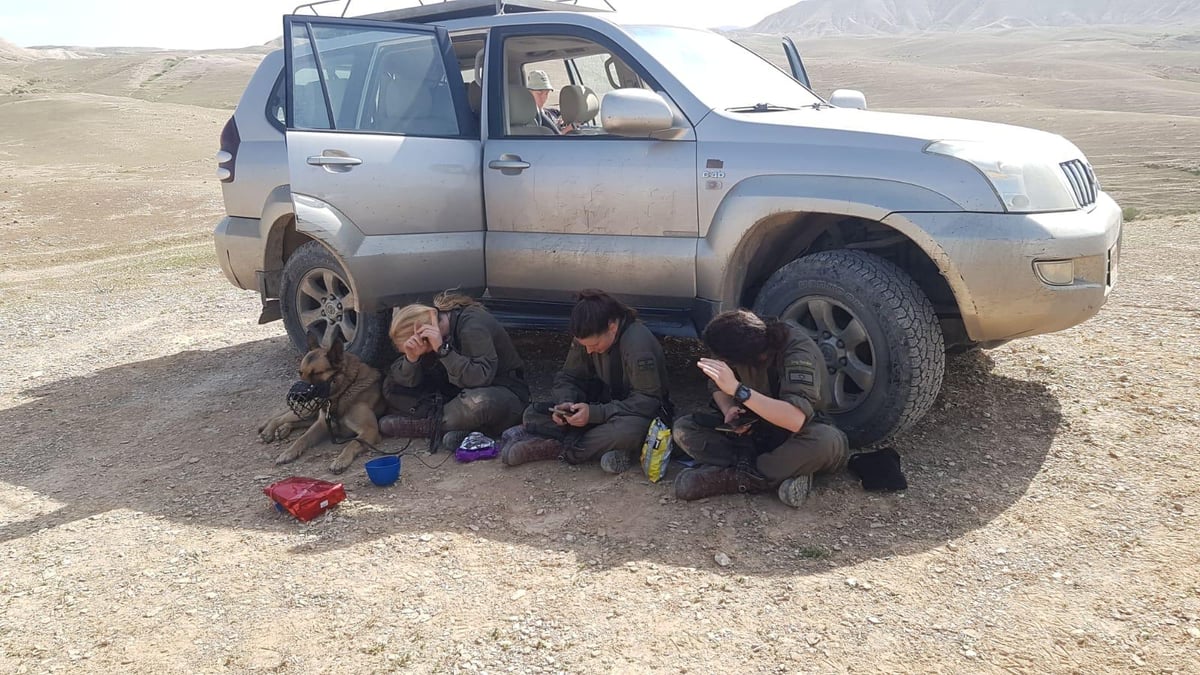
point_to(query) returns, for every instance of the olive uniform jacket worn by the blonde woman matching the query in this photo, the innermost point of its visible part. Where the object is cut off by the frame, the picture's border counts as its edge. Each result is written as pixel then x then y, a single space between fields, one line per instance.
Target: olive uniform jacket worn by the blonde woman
pixel 482 355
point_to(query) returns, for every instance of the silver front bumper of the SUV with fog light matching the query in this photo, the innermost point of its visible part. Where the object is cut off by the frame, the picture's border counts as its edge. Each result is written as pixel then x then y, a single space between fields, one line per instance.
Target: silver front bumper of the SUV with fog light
pixel 989 262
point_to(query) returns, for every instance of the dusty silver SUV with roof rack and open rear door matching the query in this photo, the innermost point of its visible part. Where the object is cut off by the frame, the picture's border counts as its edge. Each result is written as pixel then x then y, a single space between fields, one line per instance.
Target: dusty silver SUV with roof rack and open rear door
pixel 379 160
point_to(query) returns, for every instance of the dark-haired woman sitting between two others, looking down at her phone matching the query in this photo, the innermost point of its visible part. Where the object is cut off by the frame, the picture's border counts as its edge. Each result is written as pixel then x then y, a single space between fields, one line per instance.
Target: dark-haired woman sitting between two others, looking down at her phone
pixel 613 385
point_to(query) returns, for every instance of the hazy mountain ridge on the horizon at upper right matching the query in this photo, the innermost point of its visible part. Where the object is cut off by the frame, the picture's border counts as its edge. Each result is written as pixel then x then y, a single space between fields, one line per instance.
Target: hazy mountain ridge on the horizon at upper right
pixel 869 17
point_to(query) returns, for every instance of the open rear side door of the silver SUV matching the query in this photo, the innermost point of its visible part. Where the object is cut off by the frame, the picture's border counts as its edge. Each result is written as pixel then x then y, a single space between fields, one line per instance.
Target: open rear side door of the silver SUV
pixel 385 156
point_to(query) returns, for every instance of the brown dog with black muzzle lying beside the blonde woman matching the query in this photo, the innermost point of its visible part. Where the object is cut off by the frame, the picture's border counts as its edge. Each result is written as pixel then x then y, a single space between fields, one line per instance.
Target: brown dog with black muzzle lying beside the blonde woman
pixel 356 403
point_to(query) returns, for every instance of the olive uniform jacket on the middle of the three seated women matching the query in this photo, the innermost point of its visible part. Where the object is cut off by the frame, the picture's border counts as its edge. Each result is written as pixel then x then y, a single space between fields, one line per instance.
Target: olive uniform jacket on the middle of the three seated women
pixel 644 378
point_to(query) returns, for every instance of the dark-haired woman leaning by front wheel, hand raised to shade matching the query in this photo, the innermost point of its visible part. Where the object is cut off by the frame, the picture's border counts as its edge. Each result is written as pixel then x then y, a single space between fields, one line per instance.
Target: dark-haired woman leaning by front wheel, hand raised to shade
pixel 767 383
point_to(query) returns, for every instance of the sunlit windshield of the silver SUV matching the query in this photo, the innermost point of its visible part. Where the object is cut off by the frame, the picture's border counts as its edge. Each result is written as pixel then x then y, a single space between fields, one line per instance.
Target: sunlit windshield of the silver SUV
pixel 721 73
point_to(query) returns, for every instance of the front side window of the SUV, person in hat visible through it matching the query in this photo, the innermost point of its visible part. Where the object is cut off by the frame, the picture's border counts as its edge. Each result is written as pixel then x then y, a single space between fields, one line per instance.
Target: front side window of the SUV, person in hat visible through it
pixel 555 86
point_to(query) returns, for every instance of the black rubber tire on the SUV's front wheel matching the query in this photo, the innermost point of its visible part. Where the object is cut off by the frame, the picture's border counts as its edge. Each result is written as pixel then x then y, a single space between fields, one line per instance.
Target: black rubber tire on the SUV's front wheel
pixel 904 334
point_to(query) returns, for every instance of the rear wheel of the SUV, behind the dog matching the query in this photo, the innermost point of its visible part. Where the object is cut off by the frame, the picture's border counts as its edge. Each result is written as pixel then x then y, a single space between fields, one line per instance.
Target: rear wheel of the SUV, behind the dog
pixel 316 295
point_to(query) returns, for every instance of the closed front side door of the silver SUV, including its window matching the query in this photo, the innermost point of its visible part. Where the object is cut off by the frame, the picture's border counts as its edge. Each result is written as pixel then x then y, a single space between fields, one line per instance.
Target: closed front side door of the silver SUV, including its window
pixel 585 208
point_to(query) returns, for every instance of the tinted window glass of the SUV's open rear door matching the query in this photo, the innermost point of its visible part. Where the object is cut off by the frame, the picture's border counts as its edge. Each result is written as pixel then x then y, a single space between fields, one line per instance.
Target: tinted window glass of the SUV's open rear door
pixel 380 81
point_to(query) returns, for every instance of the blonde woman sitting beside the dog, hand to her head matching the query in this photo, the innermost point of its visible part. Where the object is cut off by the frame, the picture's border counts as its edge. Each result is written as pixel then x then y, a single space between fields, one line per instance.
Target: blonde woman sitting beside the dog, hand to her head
pixel 458 350
